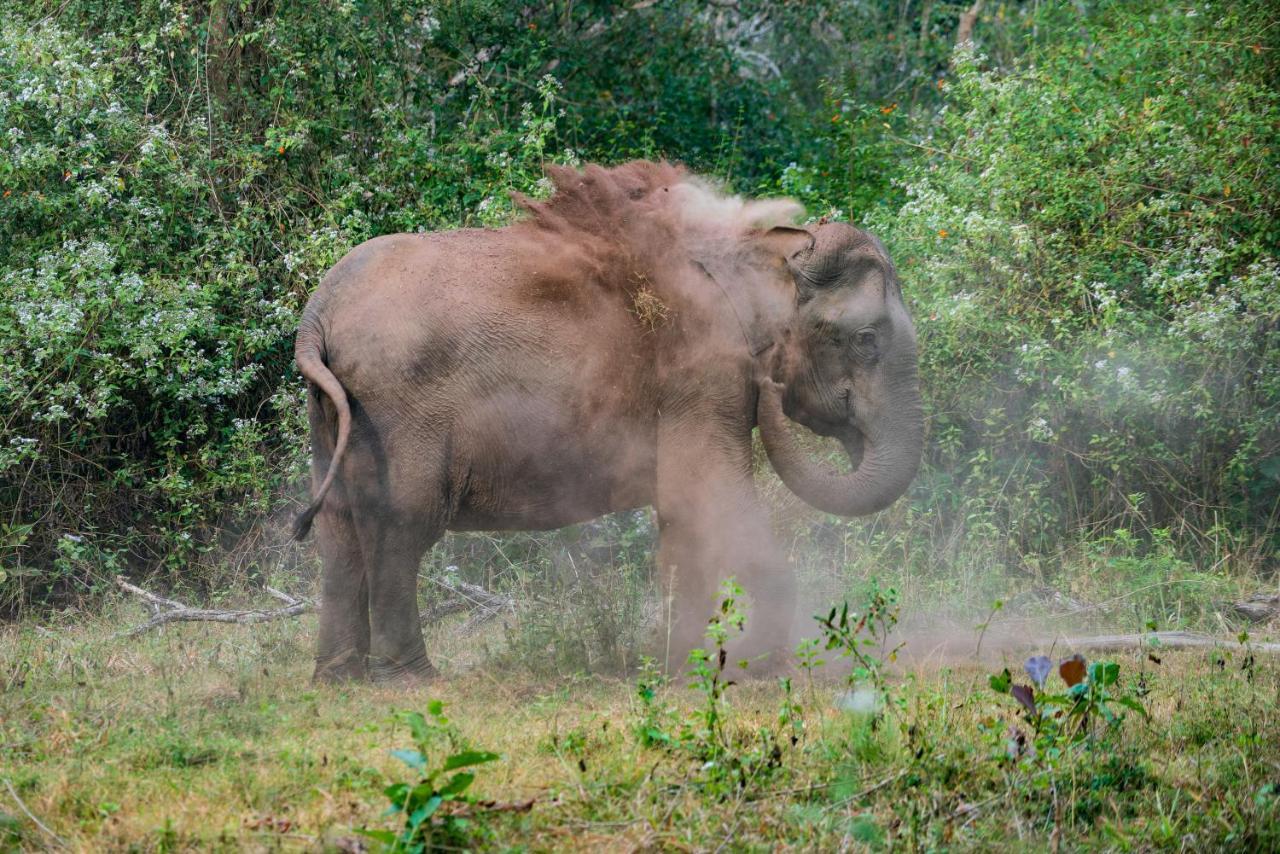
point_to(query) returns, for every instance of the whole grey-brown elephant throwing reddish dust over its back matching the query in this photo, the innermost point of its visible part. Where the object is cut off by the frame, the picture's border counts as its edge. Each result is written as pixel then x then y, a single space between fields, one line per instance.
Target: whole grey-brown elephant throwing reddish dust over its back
pixel 614 349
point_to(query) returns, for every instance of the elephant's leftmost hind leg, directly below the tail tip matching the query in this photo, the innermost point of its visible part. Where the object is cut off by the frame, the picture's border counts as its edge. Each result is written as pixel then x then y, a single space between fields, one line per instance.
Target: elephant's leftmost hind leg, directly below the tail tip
pixel 344 642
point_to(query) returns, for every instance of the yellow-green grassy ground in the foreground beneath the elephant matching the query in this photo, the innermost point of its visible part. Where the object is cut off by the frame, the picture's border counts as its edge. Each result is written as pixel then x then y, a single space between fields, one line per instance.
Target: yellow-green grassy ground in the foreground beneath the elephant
pixel 209 737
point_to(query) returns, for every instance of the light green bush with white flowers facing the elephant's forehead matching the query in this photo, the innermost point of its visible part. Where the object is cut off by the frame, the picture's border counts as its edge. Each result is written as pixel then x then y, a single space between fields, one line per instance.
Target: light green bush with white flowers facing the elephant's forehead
pixel 1091 254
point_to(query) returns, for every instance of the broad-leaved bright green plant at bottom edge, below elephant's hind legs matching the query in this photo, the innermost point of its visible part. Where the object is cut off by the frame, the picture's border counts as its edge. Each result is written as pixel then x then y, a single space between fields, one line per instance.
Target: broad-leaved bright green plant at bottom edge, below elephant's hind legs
pixel 431 806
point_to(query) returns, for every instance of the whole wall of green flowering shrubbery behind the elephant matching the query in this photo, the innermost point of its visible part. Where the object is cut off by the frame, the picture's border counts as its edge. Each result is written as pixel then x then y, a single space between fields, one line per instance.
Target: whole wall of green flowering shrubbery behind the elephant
pixel 1084 208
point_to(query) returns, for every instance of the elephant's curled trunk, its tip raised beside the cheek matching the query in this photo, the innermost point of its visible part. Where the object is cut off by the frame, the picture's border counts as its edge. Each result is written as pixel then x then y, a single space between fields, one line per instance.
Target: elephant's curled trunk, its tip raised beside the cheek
pixel 886 455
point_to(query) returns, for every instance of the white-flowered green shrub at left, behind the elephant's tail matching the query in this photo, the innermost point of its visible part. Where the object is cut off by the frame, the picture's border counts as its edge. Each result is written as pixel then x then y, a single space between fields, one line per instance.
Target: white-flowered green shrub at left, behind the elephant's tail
pixel 143 349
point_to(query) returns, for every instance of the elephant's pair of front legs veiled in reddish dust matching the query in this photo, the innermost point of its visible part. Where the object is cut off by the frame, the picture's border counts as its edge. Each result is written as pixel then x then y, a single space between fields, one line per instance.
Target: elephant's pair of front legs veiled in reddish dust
pixel 714 528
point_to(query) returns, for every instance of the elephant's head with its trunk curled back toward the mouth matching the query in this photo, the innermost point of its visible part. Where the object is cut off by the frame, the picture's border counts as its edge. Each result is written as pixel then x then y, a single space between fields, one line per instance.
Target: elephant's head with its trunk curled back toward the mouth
pixel 845 367
